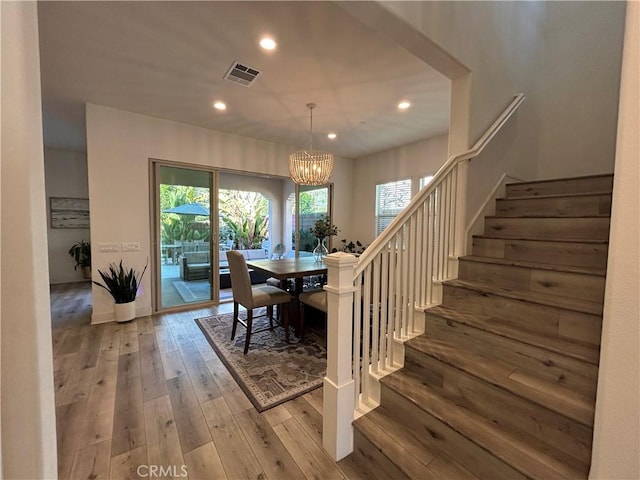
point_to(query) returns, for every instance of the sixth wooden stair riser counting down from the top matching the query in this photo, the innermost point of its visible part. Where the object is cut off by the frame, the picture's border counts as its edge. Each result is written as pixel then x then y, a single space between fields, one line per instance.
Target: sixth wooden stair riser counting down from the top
pixel 532 316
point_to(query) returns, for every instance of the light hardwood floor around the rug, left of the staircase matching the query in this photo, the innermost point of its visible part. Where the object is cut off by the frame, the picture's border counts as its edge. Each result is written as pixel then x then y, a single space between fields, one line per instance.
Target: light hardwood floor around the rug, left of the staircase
pixel 151 399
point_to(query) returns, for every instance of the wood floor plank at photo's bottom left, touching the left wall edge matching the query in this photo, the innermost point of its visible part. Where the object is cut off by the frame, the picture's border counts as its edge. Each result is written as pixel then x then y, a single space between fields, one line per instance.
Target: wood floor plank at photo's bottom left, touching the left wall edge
pixel 69 420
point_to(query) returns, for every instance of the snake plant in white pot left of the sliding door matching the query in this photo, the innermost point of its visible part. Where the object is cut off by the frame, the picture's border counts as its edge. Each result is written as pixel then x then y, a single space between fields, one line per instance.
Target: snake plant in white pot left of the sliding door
pixel 122 283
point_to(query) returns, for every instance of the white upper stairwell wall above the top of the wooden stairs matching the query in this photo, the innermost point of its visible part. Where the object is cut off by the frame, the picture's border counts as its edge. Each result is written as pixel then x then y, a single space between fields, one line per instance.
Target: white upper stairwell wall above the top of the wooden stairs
pixel 514 47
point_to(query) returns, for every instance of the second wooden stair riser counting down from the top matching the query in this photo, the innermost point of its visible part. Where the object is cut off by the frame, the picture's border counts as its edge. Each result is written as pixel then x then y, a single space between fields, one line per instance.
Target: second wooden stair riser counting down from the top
pixel 592 205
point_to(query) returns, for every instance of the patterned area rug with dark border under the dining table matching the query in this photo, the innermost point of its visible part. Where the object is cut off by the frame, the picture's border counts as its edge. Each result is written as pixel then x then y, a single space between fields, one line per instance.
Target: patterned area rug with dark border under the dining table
pixel 272 371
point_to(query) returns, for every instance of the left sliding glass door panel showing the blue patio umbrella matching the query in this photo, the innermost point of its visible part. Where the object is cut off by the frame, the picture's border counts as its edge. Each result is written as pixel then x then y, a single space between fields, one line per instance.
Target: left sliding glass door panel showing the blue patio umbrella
pixel 186 264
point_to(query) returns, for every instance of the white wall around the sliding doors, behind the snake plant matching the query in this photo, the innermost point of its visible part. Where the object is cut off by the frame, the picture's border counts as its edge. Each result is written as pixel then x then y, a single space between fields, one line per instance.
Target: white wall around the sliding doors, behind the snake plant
pixel 119 145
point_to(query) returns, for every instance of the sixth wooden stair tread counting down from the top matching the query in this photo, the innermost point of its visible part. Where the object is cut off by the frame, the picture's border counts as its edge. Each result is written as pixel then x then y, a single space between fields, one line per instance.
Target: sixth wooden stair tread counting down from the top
pixel 567 303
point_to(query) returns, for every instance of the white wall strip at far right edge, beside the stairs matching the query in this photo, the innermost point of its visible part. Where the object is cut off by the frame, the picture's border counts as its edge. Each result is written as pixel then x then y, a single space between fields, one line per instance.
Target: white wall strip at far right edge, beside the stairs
pixel 617 422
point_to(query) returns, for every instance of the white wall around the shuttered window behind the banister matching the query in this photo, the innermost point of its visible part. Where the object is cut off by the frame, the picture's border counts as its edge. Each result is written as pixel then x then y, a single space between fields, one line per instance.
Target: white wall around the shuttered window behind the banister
pixel 409 161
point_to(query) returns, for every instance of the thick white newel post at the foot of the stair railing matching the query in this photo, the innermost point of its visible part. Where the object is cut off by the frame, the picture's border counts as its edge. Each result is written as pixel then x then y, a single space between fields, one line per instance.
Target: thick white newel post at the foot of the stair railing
pixel 338 395
